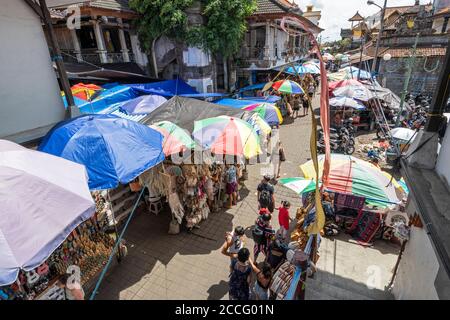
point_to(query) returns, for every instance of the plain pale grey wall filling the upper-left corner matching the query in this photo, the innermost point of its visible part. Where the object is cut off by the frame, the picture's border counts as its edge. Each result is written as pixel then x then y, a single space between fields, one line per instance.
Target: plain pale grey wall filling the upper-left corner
pixel 29 92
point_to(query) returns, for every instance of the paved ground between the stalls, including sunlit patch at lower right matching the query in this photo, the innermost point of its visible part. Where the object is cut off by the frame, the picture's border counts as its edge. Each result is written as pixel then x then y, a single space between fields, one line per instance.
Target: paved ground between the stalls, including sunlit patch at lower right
pixel 190 266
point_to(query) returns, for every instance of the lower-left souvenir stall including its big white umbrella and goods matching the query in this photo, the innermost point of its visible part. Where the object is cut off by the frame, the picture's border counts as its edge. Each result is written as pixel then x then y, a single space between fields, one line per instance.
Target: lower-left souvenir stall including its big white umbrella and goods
pixel 59 226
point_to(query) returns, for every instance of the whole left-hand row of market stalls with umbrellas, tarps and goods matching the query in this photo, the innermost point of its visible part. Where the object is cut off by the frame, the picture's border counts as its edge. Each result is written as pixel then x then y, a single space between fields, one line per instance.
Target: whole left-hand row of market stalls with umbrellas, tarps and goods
pixel 65 202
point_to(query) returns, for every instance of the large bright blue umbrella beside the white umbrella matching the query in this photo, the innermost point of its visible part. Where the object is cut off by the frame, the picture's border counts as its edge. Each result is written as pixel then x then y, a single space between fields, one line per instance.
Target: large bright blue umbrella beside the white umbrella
pixel 114 150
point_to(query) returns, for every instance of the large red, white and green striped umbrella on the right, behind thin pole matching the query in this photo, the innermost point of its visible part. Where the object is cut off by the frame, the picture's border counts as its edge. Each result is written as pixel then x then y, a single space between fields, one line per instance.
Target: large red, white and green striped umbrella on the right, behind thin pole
pixel 351 175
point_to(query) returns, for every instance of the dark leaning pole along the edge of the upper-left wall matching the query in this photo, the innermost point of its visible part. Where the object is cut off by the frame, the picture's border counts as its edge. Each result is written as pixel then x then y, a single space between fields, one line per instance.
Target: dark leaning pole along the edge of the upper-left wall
pixel 57 58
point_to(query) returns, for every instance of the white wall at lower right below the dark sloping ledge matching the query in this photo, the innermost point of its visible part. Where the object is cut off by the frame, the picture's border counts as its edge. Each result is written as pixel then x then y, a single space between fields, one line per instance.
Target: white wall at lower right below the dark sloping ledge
pixel 417 270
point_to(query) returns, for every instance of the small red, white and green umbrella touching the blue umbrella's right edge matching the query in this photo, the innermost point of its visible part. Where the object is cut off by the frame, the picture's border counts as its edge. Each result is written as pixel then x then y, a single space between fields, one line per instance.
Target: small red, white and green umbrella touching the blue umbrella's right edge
pixel 175 139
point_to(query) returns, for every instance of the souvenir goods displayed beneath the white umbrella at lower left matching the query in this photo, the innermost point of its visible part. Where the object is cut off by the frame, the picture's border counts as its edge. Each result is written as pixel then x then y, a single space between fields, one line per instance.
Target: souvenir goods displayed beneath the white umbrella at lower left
pixel 87 247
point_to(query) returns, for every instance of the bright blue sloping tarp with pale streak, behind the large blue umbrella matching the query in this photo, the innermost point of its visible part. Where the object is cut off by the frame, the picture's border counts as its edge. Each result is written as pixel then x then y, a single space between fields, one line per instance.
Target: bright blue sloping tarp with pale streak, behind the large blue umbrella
pixel 106 98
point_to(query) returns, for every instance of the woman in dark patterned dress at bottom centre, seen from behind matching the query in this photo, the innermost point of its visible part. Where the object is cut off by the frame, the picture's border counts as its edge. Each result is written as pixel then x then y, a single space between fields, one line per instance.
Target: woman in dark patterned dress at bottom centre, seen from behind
pixel 239 288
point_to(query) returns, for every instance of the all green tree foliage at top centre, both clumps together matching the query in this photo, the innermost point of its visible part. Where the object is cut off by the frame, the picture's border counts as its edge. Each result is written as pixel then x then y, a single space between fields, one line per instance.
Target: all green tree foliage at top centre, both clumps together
pixel 222 32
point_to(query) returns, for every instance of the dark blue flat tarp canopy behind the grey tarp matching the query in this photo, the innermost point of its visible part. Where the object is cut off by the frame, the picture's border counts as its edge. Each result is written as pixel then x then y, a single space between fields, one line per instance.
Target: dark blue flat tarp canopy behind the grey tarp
pixel 168 88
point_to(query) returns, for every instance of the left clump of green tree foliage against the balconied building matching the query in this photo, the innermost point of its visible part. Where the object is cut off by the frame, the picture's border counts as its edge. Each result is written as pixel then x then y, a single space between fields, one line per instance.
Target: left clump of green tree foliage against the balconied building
pixel 160 18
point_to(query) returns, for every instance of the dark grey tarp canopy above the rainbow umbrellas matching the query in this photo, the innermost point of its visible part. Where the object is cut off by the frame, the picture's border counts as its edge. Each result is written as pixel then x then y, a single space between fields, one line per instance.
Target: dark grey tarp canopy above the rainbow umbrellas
pixel 185 111
